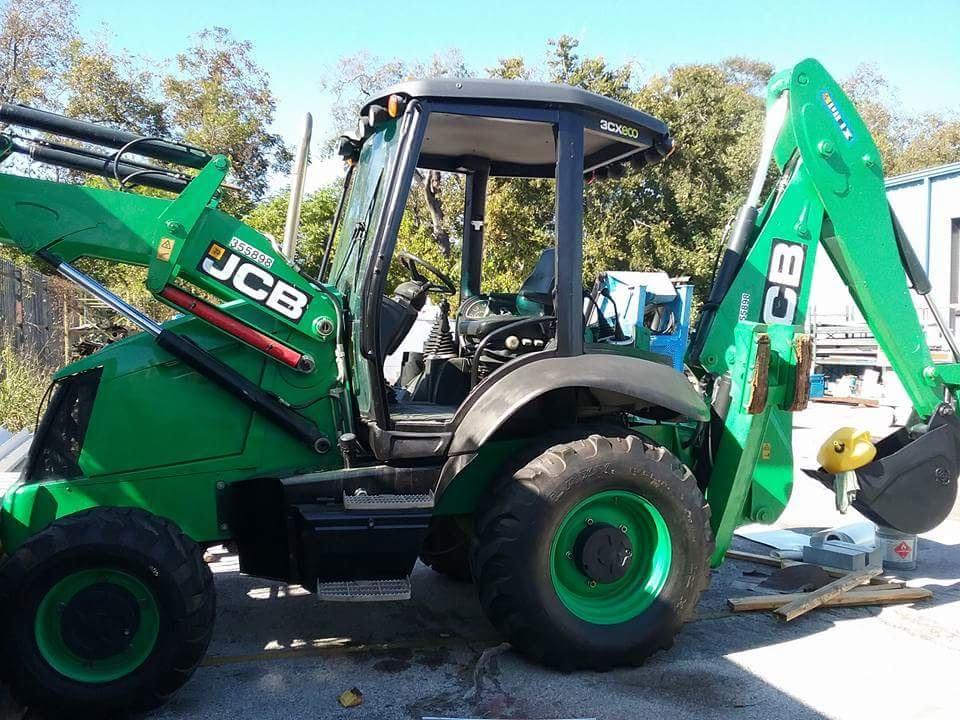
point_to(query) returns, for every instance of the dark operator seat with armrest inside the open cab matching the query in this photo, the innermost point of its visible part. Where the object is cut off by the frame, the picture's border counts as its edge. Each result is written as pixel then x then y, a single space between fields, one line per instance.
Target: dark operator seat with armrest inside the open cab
pixel 481 314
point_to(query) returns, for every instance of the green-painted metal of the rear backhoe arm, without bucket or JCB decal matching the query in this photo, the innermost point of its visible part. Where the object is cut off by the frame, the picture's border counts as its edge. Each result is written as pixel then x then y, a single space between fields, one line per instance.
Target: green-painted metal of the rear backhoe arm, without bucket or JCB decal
pixel 834 198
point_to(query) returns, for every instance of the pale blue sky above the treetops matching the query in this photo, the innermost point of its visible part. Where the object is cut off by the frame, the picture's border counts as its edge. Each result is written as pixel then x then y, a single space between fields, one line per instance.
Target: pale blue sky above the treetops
pixel 915 44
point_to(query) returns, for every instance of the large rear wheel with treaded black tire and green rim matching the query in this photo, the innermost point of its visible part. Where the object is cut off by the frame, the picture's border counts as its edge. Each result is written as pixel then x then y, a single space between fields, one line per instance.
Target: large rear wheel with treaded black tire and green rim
pixel 594 553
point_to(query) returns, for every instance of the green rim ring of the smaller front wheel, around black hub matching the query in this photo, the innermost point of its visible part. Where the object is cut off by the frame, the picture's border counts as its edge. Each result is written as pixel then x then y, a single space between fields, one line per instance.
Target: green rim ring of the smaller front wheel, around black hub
pixel 56 649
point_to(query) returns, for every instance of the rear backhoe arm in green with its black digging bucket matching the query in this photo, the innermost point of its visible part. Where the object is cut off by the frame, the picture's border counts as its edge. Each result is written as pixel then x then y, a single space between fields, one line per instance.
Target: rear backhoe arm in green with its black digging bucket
pixel 751 351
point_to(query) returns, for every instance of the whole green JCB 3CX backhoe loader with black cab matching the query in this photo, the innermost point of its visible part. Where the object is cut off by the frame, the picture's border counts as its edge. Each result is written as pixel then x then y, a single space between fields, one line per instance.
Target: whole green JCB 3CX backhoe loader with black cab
pixel 585 483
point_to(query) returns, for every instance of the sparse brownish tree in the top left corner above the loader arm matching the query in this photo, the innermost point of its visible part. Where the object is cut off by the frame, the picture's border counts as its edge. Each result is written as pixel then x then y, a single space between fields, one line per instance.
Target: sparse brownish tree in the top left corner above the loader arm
pixel 34 38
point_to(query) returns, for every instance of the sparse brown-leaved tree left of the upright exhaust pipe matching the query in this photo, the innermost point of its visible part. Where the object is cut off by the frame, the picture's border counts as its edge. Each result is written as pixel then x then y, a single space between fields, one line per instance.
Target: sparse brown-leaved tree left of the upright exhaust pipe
pixel 220 99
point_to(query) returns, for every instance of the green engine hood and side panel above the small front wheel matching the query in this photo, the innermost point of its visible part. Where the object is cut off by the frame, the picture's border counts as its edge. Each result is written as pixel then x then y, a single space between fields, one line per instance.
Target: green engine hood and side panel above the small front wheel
pixel 162 438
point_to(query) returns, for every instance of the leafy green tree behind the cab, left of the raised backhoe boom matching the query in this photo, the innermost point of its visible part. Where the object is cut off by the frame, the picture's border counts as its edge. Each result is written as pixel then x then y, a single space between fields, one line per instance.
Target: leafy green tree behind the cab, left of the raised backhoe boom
pixel 667 217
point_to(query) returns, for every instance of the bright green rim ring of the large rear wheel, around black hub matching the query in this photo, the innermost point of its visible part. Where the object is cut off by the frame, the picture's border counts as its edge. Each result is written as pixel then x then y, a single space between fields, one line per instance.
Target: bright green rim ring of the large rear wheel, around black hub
pixel 627 597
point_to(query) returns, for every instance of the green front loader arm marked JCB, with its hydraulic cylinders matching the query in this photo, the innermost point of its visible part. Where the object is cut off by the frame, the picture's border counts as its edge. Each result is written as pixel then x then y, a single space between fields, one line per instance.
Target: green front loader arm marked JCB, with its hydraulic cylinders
pixel 192 251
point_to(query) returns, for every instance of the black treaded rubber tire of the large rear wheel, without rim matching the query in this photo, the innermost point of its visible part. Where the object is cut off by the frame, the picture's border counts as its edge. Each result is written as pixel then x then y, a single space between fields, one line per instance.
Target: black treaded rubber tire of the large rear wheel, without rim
pixel 514 528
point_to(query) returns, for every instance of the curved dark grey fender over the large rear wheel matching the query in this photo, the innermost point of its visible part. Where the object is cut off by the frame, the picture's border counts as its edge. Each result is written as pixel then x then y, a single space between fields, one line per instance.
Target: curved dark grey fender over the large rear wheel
pixel 648 382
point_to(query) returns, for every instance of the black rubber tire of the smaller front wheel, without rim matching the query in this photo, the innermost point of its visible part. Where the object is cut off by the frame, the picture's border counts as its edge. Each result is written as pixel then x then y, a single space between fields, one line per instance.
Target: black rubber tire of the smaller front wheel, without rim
pixel 153 550
